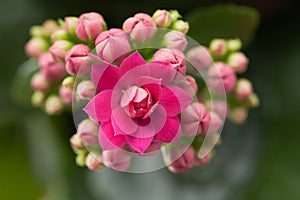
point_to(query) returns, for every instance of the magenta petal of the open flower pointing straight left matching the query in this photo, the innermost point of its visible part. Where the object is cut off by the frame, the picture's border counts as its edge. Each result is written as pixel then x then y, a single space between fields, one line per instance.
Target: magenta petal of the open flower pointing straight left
pixel 99 108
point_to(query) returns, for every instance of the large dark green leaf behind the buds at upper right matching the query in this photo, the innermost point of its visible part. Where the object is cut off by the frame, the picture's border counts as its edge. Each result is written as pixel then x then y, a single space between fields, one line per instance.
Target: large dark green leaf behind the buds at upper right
pixel 224 21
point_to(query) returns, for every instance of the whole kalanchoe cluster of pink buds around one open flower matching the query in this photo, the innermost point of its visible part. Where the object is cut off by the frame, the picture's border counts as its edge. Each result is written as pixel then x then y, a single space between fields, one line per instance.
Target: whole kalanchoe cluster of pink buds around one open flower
pixel 141 89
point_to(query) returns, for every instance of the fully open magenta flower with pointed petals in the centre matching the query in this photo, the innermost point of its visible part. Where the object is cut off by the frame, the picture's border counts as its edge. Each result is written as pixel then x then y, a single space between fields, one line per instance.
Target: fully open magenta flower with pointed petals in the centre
pixel 136 103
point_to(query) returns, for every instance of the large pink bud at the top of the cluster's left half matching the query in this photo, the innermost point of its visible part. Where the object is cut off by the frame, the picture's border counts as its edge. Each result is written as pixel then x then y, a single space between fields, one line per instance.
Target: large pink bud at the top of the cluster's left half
pixel 89 26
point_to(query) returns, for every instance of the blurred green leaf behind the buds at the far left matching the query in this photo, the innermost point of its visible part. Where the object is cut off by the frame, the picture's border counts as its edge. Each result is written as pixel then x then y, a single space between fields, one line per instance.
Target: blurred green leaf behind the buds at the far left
pixel 21 90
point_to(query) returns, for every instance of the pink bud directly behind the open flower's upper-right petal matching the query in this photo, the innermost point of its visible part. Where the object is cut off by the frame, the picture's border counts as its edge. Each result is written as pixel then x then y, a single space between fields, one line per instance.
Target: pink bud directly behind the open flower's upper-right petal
pixel 172 56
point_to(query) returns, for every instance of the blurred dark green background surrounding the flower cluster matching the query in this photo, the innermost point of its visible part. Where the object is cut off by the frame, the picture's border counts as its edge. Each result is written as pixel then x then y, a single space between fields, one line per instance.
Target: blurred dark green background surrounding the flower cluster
pixel 257 160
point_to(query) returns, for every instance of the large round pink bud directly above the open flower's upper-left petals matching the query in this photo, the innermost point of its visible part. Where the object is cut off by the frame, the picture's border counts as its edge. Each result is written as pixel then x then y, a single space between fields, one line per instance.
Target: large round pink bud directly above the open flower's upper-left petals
pixel 112 45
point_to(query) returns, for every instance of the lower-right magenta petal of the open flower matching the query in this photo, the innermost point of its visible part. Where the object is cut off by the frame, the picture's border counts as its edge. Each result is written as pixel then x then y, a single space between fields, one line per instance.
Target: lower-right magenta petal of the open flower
pixel 170 131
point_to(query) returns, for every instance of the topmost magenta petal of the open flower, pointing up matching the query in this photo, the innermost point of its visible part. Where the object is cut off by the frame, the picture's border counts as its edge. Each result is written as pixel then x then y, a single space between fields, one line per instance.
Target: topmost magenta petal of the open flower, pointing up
pixel 131 62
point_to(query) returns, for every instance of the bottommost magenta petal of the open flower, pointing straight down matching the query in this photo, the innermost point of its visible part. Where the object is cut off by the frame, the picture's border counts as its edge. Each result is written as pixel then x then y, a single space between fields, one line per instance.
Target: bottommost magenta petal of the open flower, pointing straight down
pixel 139 144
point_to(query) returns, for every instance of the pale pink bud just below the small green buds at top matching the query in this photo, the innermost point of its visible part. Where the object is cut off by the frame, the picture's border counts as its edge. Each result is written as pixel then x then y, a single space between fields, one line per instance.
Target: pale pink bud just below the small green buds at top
pixel 175 40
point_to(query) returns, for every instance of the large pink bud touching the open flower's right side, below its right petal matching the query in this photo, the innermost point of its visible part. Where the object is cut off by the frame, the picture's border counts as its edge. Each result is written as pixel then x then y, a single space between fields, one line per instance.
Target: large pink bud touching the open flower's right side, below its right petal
pixel 195 119
